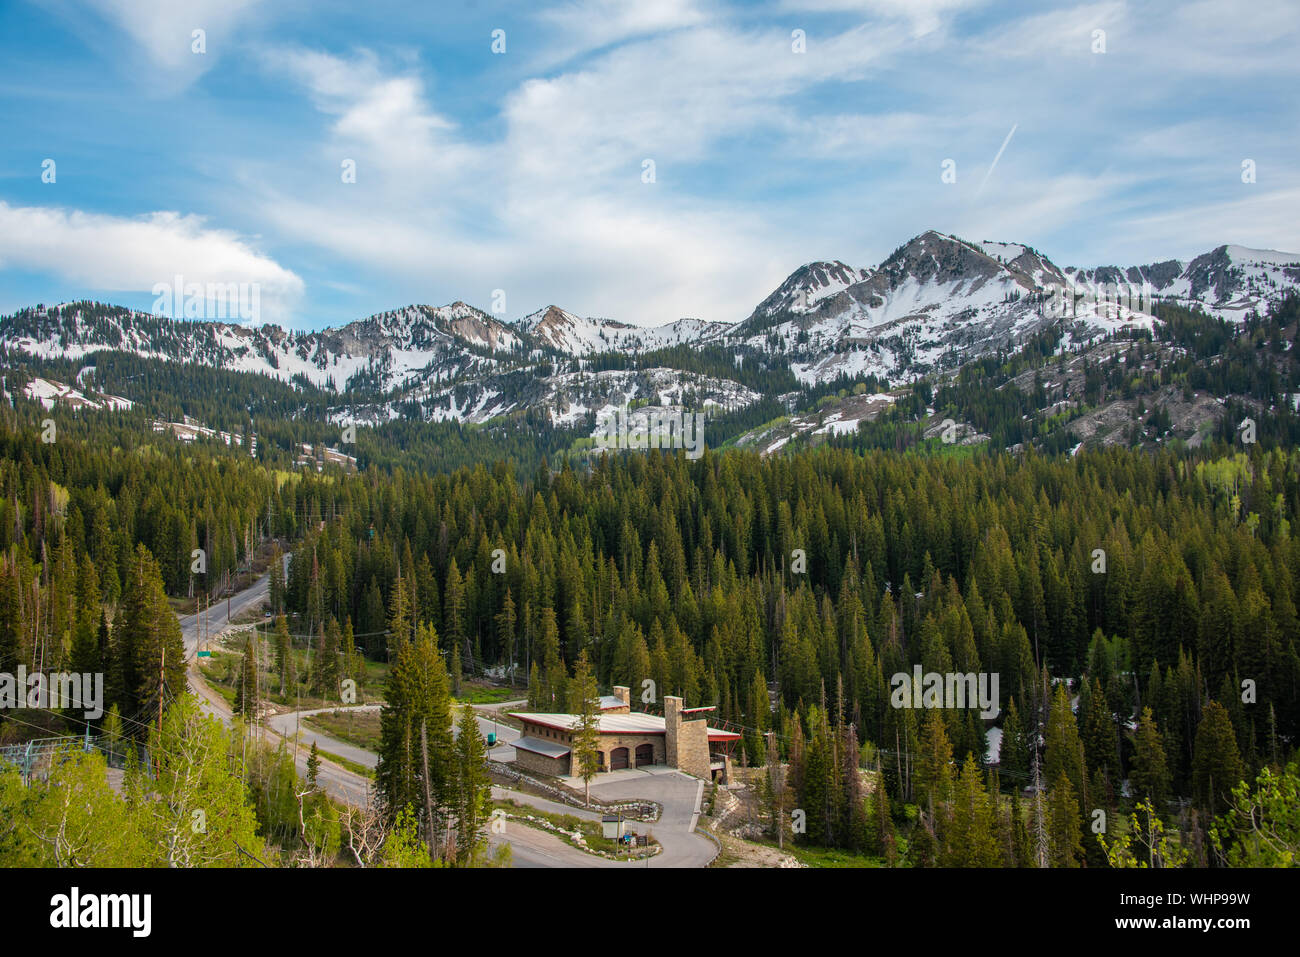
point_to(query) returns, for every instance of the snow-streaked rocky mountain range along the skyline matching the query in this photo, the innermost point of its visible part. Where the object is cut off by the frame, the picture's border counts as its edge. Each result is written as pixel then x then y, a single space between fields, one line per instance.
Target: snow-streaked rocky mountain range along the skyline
pixel 934 305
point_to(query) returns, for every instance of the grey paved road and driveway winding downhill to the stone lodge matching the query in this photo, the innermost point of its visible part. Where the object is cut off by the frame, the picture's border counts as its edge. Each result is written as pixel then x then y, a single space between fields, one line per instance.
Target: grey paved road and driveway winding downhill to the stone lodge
pixel 530 847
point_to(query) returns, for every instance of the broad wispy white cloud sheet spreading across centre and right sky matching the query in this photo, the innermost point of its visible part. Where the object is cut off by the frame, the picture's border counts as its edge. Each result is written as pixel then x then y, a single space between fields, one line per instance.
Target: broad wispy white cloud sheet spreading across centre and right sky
pixel 545 198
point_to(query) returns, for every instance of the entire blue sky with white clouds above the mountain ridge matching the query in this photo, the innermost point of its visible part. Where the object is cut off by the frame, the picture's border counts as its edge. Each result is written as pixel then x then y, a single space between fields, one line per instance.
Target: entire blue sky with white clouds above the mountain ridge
pixel 523 171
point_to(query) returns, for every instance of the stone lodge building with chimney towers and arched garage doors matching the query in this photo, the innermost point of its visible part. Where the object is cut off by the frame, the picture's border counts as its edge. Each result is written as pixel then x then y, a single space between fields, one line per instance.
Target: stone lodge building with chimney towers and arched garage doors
pixel 681 739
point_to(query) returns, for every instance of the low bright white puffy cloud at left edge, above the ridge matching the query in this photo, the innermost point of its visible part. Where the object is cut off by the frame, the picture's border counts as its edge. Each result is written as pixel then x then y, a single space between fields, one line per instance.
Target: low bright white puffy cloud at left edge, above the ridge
pixel 115 254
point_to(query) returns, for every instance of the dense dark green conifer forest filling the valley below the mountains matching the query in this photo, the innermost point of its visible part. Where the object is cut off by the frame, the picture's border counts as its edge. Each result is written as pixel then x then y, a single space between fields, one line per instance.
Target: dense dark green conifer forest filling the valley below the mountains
pixel 1139 609
